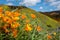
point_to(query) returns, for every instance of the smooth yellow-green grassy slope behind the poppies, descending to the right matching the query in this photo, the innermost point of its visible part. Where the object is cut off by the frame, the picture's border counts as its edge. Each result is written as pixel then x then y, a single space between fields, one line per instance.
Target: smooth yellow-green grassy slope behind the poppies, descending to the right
pixel 44 20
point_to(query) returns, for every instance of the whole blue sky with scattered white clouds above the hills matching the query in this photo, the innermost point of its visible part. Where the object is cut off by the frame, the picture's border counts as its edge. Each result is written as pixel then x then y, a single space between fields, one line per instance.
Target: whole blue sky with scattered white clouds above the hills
pixel 38 5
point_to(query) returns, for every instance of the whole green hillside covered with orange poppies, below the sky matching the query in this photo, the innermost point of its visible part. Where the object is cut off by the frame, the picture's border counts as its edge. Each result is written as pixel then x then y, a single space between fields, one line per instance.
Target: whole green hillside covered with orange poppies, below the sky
pixel 27 24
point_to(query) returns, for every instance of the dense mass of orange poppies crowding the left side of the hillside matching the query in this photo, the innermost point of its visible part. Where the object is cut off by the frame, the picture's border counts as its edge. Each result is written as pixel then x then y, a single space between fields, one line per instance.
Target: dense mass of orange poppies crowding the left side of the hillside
pixel 10 21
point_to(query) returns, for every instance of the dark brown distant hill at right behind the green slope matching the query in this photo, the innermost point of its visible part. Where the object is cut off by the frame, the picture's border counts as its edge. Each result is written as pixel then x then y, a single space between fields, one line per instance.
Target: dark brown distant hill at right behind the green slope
pixel 54 14
